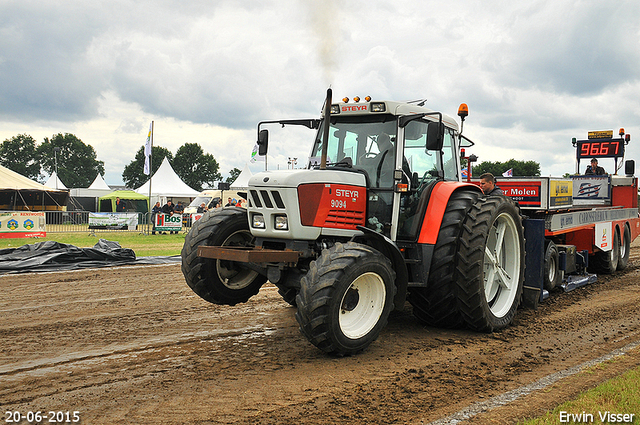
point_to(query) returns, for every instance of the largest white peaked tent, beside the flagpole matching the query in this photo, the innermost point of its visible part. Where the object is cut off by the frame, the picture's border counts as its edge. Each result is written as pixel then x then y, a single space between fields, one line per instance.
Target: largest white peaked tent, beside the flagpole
pixel 165 184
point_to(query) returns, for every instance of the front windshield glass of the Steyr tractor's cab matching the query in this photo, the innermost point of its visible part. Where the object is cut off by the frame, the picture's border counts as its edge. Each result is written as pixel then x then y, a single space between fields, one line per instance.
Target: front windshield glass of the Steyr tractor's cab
pixel 366 142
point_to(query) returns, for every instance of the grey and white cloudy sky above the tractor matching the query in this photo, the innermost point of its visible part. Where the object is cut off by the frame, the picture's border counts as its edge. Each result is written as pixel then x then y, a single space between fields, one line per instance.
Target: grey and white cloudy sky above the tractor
pixel 534 73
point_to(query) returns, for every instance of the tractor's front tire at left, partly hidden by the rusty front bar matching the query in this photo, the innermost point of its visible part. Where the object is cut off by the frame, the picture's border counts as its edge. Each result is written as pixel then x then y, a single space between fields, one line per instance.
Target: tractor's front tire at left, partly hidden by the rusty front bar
pixel 219 281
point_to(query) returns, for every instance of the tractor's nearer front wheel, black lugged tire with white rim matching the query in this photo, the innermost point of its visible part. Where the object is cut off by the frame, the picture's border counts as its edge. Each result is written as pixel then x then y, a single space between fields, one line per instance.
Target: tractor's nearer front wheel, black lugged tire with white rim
pixel 345 298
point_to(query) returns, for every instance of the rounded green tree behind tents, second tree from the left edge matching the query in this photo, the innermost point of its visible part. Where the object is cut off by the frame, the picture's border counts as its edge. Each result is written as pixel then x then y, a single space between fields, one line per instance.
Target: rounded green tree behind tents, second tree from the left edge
pixel 77 163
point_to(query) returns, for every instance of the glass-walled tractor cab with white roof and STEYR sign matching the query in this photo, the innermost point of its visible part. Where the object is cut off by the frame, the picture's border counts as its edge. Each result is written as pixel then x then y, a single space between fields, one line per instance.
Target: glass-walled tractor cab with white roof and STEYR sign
pixel 400 148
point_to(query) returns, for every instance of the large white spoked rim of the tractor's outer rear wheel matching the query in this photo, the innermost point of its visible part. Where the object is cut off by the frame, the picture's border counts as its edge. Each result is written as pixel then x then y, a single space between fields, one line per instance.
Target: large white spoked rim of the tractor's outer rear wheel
pixel 502 265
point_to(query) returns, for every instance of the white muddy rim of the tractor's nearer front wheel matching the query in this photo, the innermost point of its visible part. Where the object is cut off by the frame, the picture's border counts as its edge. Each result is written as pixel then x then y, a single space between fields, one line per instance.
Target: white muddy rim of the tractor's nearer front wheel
pixel 362 305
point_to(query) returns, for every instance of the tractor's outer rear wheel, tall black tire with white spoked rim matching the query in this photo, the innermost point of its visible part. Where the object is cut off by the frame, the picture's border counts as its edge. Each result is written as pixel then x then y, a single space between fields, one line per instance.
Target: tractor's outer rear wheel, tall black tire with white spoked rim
pixel 490 264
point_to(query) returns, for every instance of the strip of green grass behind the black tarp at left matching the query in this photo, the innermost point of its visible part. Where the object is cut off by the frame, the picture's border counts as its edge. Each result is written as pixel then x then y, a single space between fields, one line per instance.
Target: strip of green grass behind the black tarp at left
pixel 142 245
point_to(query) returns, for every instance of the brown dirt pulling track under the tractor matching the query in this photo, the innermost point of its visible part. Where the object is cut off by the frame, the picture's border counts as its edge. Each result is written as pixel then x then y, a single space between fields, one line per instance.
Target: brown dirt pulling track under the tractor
pixel 135 345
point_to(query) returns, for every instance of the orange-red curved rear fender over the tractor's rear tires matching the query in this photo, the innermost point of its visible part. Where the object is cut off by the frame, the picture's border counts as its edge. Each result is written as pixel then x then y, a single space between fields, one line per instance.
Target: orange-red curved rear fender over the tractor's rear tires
pixel 435 209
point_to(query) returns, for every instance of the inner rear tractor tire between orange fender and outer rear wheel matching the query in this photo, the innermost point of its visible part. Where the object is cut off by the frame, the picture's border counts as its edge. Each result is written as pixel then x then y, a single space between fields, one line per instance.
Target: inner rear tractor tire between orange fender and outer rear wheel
pixel 436 304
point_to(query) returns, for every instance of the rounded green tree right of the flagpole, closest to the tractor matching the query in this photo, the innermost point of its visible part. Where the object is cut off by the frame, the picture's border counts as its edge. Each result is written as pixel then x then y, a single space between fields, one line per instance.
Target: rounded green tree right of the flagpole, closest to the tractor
pixel 196 168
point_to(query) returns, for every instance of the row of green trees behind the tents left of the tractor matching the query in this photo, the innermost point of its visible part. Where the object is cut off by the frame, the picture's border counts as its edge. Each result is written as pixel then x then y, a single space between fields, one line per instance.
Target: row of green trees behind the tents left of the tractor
pixel 78 165
